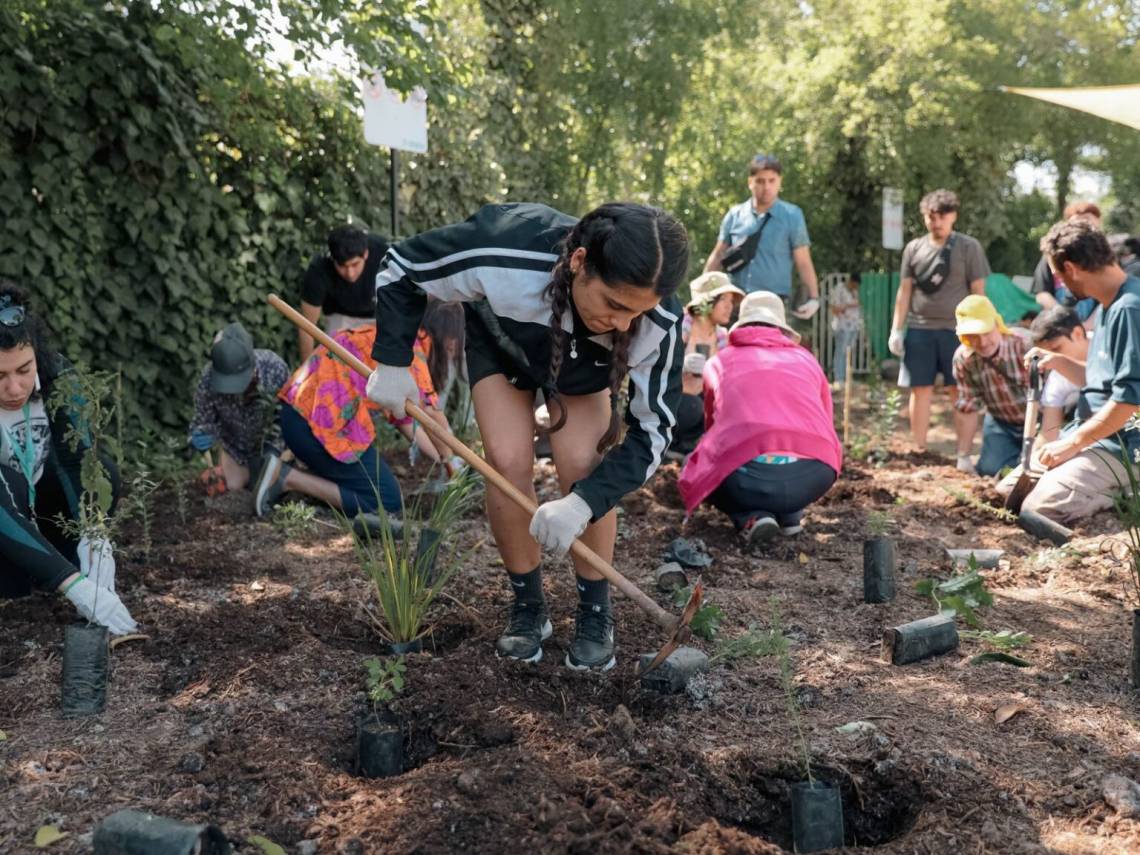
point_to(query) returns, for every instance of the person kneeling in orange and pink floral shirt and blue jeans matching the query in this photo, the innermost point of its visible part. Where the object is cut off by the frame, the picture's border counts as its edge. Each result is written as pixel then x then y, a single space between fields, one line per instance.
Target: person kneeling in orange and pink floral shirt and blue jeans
pixel 328 425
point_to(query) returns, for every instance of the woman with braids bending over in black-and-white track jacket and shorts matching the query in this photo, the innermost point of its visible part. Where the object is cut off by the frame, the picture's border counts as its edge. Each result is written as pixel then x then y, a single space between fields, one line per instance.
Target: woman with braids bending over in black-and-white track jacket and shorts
pixel 582 311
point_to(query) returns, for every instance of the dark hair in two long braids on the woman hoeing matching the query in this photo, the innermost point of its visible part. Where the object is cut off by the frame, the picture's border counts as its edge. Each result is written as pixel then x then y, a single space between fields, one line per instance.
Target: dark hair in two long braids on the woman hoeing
pixel 624 246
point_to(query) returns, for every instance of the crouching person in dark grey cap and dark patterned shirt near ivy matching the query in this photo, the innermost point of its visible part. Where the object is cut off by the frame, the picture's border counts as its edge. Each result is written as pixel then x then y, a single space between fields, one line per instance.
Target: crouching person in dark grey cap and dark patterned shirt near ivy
pixel 235 403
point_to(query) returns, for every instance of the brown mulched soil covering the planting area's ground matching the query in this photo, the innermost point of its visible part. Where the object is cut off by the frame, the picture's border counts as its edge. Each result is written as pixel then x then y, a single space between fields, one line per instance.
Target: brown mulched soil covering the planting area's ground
pixel 242 707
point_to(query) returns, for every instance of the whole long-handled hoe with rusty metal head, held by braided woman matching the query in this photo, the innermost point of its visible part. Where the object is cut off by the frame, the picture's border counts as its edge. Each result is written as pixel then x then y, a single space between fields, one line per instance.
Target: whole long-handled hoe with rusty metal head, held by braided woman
pixel 678 628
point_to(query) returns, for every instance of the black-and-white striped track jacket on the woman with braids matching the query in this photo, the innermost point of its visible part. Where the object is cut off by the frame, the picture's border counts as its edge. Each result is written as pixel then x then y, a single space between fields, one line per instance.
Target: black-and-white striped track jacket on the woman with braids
pixel 504 255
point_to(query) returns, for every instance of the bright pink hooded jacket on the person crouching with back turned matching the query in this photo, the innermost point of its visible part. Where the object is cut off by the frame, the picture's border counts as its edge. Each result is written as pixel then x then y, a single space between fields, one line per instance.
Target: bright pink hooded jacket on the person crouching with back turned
pixel 763 395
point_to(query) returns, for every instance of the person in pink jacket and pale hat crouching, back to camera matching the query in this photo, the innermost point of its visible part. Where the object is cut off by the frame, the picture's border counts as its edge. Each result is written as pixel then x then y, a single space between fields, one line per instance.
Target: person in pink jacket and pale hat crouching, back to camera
pixel 770 447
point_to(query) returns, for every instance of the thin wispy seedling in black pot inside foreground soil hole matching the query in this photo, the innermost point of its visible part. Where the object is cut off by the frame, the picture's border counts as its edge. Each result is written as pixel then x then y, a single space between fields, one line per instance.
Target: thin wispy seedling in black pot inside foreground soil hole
pixel 817 807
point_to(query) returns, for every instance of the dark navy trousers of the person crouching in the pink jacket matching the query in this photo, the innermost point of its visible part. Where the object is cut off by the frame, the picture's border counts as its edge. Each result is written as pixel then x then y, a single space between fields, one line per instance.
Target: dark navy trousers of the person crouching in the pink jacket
pixel 777 490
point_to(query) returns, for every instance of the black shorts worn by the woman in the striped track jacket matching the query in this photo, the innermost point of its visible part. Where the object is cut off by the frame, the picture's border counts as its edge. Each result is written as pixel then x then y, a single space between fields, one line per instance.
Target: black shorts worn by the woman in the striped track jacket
pixel 588 374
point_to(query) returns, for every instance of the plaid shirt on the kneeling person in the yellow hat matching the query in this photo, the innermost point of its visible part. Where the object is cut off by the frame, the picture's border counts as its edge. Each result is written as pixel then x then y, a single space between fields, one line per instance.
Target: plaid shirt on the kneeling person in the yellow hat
pixel 999 384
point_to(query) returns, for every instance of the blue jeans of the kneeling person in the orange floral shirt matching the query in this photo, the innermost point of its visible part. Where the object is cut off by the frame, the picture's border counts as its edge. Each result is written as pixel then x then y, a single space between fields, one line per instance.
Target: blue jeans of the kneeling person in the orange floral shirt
pixel 365 484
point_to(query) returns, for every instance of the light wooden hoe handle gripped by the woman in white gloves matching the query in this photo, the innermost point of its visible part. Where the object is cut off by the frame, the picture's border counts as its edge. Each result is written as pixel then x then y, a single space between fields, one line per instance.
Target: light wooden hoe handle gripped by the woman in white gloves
pixel 439 435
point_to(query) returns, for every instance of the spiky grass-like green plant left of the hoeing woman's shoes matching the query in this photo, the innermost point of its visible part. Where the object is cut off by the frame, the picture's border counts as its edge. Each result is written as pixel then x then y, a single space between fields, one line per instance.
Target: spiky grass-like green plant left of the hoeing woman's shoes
pixel 408 581
